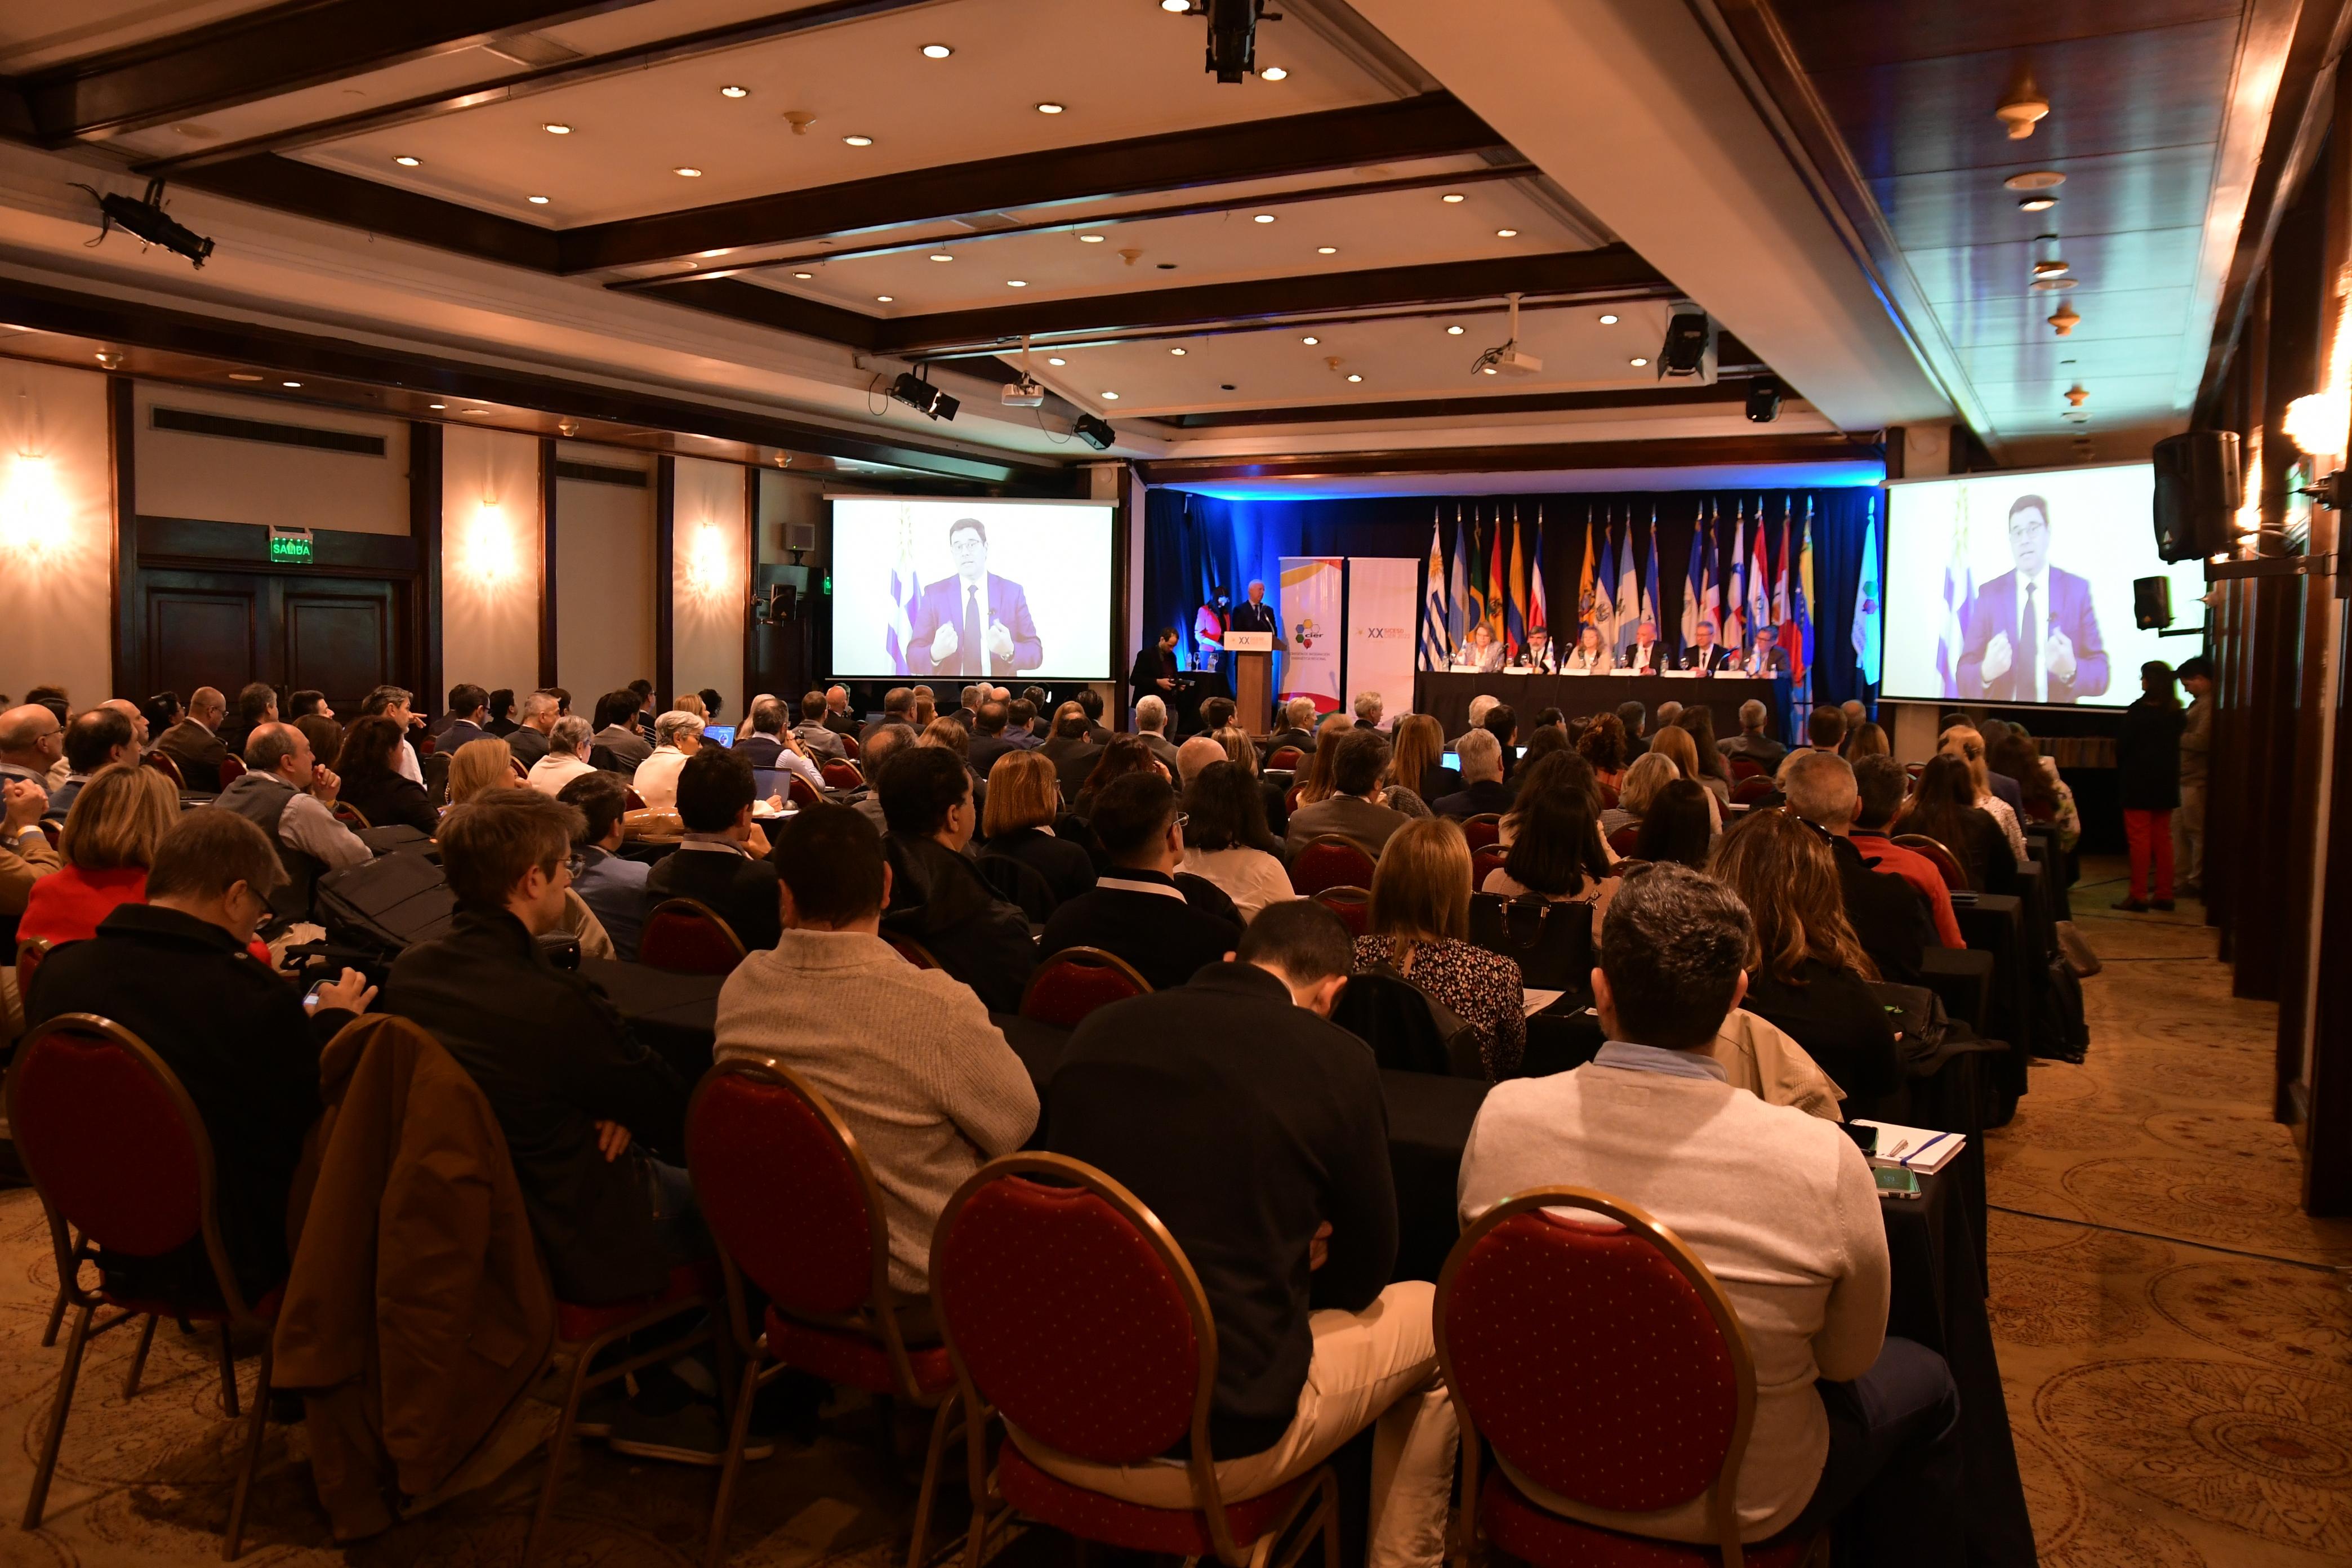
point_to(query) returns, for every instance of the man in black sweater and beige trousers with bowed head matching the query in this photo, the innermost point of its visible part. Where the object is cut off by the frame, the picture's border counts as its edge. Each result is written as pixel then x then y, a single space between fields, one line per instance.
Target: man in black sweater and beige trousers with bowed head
pixel 1295 1247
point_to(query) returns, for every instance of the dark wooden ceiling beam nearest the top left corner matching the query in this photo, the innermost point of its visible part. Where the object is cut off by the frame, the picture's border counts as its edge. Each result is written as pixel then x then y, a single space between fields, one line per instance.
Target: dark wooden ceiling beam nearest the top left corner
pixel 262 55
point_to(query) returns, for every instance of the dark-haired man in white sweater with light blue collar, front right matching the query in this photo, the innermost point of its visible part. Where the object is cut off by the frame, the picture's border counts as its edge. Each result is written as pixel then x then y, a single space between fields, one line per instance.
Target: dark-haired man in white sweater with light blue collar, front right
pixel 1850 1426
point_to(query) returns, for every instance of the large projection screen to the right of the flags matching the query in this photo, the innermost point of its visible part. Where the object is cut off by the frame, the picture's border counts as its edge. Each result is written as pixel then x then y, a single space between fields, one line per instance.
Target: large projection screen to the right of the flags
pixel 2014 589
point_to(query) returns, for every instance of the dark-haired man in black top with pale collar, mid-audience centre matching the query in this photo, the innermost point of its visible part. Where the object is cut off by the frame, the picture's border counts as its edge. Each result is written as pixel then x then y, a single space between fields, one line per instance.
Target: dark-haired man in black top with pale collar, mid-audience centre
pixel 1140 909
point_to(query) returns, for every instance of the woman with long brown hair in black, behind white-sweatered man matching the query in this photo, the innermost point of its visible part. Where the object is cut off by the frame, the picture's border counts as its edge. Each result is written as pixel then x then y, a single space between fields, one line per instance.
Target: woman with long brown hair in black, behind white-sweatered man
pixel 1810 974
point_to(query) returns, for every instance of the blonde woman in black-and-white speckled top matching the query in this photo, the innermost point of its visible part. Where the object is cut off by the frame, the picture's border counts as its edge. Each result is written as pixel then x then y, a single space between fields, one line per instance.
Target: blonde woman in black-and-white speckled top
pixel 1419 925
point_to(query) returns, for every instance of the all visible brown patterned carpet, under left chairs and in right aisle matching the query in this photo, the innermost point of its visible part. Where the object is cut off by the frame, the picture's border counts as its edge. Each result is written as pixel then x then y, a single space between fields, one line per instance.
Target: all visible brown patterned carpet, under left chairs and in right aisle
pixel 2174 1334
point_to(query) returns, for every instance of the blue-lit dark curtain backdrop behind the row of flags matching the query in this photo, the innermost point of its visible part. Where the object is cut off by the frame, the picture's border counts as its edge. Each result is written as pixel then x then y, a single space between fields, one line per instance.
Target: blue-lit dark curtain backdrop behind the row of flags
pixel 1191 542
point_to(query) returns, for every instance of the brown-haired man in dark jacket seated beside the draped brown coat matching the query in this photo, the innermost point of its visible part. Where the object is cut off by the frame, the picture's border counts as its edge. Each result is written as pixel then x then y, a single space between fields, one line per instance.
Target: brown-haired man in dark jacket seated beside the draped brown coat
pixel 582 1104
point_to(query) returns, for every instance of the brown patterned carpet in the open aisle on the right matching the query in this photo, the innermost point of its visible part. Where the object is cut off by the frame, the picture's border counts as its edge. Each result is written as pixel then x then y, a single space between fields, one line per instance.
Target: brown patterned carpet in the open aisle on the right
pixel 2177 1336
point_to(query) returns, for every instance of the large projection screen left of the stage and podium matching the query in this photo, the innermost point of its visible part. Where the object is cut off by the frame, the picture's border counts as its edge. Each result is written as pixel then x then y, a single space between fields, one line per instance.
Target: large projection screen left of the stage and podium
pixel 961 591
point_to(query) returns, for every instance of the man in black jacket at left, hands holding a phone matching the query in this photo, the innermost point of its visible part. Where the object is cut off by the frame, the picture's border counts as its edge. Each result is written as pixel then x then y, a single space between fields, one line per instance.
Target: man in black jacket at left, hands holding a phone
pixel 175 972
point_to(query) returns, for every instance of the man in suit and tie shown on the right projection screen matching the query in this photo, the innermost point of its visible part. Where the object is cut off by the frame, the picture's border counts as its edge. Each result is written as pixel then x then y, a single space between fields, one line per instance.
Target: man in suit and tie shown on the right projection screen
pixel 2033 634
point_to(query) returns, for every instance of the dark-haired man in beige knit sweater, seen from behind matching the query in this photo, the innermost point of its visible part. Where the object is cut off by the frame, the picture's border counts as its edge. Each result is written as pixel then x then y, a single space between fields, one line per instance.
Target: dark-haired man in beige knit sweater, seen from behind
pixel 904 1054
